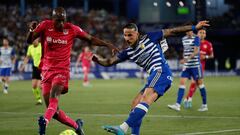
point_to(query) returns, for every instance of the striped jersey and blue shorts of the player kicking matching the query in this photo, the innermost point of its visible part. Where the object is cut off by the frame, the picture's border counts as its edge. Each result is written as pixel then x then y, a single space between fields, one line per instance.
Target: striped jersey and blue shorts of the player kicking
pixel 148 55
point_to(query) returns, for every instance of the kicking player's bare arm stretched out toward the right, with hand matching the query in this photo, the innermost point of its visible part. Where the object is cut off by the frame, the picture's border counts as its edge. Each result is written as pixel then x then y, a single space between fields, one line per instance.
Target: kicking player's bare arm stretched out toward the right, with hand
pixel 181 29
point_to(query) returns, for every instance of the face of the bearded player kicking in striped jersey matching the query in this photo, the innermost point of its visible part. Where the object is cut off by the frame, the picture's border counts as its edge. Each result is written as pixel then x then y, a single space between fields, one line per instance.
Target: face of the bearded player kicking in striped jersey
pixel 130 36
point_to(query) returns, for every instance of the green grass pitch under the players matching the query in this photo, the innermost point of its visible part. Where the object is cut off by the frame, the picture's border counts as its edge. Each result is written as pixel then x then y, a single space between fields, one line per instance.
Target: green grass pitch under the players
pixel 107 102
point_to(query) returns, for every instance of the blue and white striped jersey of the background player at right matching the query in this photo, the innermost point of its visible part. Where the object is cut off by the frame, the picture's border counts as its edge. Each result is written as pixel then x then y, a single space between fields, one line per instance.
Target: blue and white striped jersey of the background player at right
pixel 188 48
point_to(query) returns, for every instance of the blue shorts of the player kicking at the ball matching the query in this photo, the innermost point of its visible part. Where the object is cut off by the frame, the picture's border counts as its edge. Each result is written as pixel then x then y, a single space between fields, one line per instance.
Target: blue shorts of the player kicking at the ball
pixel 159 81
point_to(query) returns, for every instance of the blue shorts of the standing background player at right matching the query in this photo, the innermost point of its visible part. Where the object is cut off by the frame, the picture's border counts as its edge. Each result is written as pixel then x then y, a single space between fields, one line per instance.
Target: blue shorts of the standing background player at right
pixel 195 73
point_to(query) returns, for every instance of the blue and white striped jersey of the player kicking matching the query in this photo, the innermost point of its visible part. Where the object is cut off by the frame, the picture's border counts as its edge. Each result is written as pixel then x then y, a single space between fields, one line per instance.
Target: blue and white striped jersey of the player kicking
pixel 147 53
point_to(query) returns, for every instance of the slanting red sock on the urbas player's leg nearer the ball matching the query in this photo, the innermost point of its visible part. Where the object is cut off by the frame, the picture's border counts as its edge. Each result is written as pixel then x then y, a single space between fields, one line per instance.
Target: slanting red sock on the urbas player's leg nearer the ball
pixel 63 118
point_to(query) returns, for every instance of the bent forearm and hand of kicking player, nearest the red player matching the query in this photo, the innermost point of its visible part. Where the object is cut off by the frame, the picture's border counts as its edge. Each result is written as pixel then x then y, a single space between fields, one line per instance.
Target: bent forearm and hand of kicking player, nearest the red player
pixel 105 62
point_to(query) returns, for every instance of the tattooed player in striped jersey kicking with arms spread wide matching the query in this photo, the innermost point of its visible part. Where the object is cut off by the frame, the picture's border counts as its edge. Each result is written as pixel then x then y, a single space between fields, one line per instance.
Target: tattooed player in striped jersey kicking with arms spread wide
pixel 145 51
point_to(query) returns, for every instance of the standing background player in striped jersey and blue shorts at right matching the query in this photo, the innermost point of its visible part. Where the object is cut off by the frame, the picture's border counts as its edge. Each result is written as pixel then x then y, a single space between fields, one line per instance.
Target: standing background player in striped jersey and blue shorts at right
pixel 191 69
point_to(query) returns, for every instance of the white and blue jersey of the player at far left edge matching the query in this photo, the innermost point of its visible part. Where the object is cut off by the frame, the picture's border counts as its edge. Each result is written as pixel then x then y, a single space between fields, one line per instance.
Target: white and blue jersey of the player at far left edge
pixel 6 57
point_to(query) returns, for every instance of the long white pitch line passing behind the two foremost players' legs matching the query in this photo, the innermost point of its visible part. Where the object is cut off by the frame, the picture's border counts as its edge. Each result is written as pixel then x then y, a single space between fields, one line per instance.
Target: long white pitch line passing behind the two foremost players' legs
pixel 125 115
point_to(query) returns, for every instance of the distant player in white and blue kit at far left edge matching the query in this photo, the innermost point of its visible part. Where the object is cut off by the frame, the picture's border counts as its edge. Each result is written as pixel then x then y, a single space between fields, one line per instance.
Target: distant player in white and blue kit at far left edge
pixel 7 59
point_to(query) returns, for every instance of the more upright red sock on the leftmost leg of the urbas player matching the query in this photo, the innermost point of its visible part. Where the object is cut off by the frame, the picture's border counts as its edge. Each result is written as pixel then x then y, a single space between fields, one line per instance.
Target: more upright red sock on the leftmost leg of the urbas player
pixel 52 108
